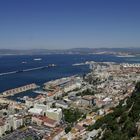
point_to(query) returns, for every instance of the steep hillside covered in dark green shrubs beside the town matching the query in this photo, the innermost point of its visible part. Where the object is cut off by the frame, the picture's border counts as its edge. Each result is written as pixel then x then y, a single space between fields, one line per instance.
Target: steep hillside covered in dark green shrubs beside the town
pixel 124 122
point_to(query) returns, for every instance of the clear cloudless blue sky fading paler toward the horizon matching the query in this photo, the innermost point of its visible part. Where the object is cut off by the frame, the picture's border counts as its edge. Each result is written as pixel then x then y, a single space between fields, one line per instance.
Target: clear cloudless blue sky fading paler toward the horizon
pixel 63 24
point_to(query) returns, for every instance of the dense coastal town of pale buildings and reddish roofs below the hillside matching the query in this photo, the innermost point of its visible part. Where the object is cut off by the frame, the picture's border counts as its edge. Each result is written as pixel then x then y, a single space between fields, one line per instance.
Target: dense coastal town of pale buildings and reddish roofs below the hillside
pixel 65 108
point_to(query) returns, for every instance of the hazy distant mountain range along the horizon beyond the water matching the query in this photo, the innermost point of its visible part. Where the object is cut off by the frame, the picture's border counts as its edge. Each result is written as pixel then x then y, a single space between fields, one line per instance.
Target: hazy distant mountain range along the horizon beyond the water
pixel 117 51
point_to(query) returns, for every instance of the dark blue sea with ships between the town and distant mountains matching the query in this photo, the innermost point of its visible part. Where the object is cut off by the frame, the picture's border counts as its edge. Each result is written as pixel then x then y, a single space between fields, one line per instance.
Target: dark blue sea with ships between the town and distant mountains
pixel 64 67
